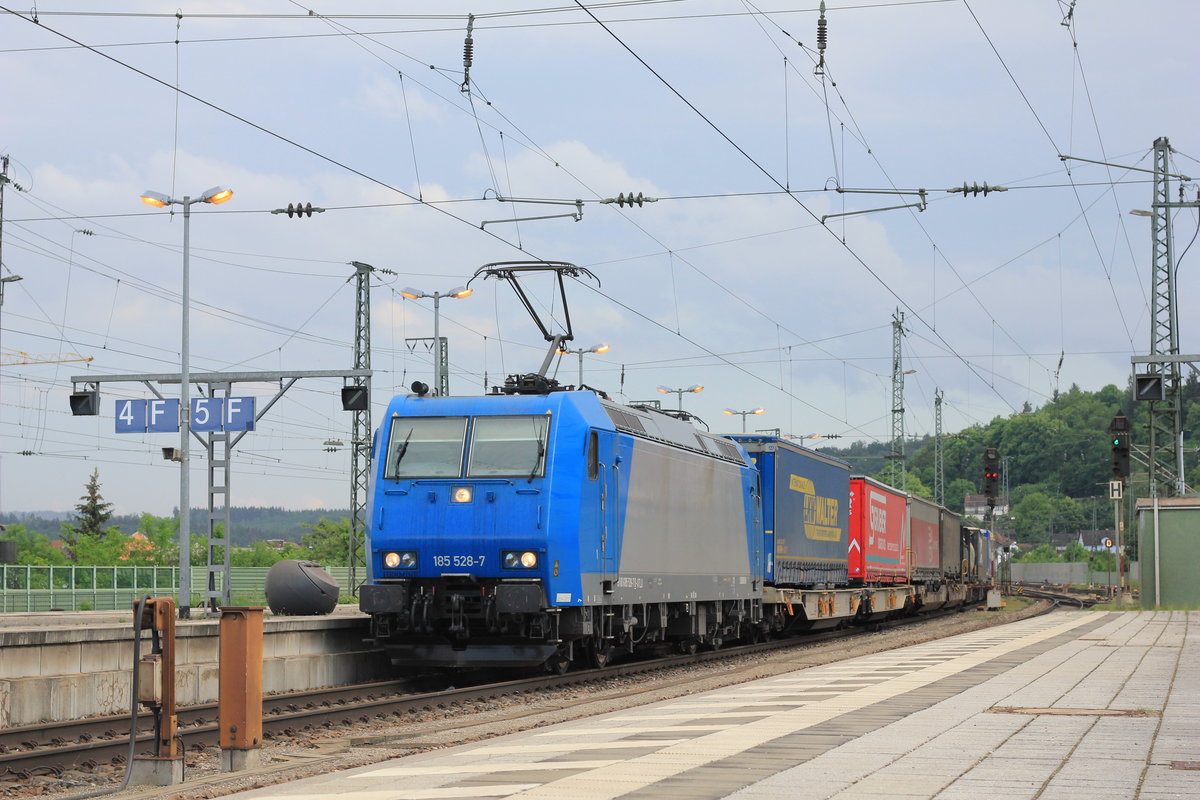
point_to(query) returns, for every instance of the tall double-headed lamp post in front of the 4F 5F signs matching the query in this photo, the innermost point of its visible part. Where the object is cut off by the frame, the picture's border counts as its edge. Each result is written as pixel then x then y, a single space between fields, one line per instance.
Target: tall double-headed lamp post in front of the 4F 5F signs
pixel 215 196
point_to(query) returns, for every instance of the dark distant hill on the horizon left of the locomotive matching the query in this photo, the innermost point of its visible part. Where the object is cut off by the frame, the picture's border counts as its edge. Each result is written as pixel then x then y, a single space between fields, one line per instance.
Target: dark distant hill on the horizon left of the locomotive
pixel 250 524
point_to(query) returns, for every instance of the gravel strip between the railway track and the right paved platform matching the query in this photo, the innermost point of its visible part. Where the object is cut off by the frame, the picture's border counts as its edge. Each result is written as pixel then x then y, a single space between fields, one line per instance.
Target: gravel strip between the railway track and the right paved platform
pixel 358 745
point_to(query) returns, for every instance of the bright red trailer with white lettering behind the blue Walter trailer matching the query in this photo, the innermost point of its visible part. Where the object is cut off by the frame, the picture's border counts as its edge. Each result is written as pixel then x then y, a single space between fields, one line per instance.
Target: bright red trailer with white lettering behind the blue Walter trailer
pixel 879 533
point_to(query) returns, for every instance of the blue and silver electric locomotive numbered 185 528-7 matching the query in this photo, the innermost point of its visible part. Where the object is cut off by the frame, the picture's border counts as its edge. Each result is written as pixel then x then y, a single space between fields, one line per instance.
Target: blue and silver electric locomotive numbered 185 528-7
pixel 547 528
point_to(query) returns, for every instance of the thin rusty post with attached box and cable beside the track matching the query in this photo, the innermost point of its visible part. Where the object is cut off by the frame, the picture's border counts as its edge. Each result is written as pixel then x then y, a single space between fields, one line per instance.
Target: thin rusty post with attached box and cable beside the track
pixel 157 690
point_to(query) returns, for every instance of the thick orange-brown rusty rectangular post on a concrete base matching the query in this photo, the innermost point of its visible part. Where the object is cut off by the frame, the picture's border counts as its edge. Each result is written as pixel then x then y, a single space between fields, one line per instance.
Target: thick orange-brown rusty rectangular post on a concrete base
pixel 241 700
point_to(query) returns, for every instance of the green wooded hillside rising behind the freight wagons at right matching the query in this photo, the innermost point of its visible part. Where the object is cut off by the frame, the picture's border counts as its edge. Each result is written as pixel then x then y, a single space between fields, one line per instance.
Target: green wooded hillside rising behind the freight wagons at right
pixel 1059 460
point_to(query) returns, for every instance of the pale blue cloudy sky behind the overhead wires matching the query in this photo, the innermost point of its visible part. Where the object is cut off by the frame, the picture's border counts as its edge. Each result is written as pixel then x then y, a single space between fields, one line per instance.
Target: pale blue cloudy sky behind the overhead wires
pixel 771 268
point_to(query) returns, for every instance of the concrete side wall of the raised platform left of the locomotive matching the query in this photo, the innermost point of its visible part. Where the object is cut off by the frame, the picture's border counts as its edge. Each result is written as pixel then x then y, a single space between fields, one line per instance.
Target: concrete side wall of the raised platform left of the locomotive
pixel 53 672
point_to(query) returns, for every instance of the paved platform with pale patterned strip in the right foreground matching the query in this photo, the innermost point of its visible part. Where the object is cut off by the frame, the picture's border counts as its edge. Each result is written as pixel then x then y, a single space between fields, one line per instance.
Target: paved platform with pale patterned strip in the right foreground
pixel 1071 705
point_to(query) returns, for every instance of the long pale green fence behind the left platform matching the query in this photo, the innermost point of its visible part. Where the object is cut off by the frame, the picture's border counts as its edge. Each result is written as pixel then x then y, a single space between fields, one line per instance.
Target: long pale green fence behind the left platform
pixel 26 588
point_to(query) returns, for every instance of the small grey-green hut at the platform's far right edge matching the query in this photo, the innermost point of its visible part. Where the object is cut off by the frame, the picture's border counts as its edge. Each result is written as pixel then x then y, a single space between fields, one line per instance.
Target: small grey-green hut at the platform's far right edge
pixel 1175 564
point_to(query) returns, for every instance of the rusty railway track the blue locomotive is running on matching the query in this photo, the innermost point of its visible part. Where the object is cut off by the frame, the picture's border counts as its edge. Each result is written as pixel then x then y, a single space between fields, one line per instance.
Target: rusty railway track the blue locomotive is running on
pixel 100 743
